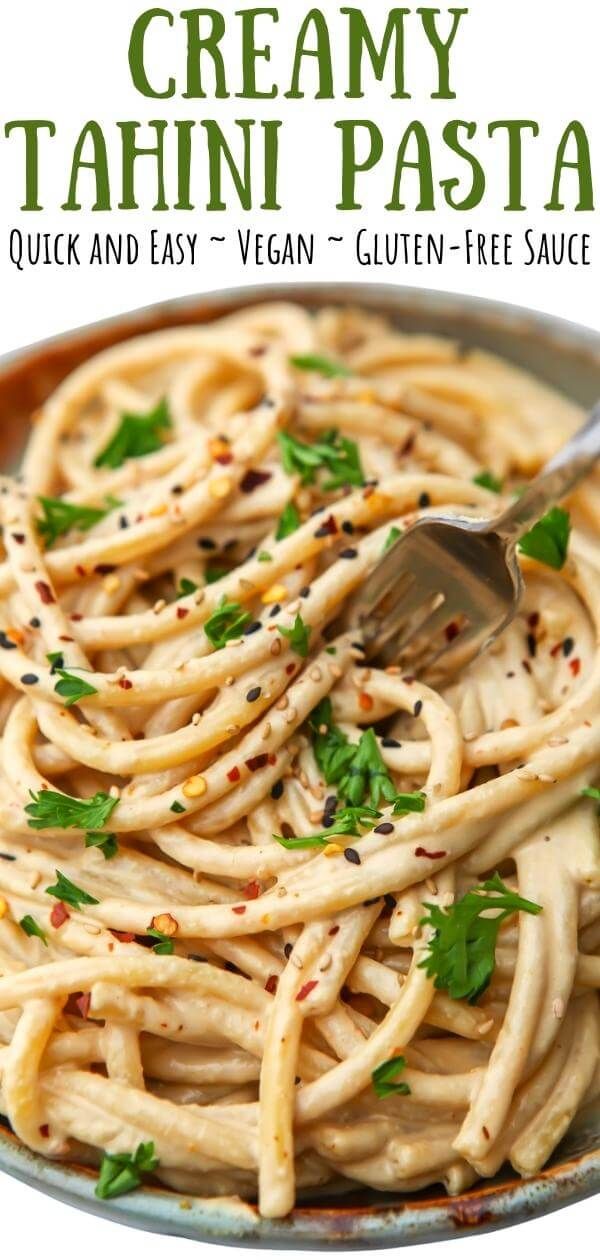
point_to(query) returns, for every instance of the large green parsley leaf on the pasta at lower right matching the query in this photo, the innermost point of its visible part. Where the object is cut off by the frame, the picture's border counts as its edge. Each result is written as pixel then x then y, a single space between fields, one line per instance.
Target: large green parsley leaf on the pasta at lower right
pixel 462 952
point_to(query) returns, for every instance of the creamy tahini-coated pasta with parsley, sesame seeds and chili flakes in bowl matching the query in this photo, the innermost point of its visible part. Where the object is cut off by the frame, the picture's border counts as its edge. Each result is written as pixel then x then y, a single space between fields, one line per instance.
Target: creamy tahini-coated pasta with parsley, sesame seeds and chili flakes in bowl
pixel 275 920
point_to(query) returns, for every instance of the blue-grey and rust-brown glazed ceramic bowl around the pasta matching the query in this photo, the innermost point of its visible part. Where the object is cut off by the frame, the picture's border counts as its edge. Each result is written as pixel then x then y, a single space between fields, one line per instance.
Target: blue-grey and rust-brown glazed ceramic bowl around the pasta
pixel 567 357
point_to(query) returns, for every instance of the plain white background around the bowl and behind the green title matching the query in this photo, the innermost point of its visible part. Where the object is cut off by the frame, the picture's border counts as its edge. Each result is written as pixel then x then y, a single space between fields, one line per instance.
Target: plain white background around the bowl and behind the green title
pixel 67 61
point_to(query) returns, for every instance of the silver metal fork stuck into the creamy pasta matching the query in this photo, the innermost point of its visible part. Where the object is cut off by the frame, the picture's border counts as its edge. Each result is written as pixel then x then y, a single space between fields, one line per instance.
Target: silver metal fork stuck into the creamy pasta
pixel 451 585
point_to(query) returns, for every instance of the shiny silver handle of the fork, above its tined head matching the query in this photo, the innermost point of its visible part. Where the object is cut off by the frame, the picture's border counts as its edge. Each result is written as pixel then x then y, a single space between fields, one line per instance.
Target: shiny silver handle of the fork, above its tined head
pixel 568 467
